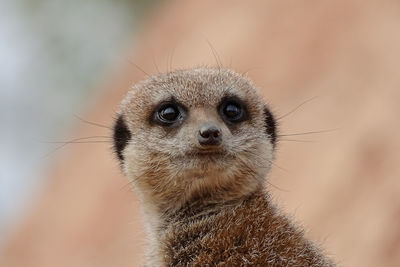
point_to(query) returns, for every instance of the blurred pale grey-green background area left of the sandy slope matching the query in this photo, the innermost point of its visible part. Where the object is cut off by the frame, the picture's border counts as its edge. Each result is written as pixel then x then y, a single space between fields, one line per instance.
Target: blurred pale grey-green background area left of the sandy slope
pixel 55 55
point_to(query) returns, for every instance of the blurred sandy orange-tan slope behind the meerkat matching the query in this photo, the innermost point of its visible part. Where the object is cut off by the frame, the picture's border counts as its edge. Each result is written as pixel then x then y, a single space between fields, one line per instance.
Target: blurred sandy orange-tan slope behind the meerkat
pixel 344 186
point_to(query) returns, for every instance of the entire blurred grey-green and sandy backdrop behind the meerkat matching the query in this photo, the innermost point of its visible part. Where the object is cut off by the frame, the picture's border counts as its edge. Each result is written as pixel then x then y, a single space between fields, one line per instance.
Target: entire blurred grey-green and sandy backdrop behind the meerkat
pixel 67 64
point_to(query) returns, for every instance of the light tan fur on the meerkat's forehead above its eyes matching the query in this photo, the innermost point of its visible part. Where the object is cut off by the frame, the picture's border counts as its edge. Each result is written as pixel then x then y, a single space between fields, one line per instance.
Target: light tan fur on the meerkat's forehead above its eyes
pixel 194 87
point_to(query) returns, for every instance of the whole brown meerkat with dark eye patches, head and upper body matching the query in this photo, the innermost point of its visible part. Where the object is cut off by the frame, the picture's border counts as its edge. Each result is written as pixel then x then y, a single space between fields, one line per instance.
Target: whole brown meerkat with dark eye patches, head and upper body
pixel 197 145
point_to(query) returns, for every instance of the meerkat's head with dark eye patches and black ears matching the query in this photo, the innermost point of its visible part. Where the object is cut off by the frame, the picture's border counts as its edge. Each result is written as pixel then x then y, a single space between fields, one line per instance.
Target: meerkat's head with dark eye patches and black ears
pixel 194 133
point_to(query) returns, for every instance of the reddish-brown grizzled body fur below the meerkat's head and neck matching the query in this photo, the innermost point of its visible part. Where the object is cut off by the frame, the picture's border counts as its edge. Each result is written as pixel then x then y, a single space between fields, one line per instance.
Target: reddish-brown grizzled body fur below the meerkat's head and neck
pixel 248 232
